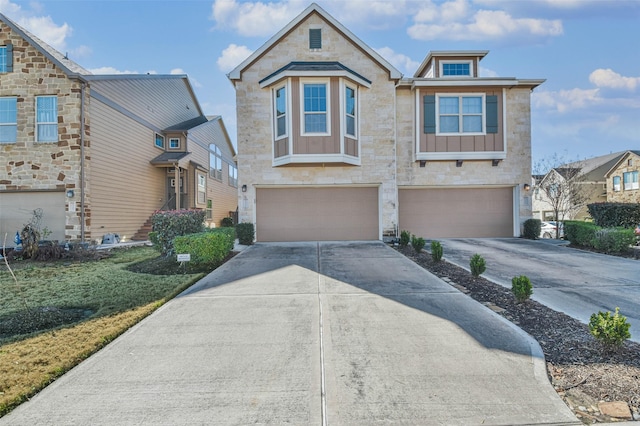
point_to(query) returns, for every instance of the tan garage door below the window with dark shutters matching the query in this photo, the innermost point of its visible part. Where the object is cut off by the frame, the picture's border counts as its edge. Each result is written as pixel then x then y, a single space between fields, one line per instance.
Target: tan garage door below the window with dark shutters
pixel 452 213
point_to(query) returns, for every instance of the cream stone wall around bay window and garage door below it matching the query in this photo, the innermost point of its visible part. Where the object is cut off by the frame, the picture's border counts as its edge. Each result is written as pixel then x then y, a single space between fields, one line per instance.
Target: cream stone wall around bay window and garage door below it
pixel 376 125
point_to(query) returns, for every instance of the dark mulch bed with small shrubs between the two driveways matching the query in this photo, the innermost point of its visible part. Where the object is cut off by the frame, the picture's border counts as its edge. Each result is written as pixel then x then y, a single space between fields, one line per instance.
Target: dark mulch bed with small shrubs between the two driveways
pixel 582 373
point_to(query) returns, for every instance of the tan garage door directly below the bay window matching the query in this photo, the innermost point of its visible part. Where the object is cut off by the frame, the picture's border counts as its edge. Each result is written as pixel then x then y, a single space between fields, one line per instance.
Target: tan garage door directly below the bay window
pixel 316 214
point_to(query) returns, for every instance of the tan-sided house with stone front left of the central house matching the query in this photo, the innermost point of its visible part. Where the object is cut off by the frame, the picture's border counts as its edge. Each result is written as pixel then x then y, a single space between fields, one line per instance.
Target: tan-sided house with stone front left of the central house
pixel 98 154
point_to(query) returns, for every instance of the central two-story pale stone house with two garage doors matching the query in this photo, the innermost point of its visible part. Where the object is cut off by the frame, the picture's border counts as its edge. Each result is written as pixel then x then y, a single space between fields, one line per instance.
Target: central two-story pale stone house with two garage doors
pixel 334 143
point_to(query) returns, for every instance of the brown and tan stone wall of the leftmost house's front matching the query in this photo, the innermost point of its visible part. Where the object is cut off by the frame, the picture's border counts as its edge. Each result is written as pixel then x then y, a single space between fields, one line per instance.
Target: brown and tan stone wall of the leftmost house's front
pixel 29 165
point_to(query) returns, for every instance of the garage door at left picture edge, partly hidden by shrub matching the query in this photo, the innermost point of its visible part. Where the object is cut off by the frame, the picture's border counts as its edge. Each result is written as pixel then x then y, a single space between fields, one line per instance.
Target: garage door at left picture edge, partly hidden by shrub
pixel 16 210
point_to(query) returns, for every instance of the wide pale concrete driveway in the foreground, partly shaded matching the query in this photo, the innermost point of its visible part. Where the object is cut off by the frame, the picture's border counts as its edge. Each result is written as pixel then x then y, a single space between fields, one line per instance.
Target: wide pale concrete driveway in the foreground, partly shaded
pixel 310 334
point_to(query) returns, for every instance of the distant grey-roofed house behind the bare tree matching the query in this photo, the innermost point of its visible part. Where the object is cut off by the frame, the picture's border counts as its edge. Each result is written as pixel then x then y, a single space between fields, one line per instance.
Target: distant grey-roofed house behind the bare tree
pixel 591 183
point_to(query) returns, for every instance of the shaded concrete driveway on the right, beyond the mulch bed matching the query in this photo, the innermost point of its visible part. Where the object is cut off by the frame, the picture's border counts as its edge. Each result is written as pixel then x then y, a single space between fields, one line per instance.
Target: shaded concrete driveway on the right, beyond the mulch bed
pixel 578 283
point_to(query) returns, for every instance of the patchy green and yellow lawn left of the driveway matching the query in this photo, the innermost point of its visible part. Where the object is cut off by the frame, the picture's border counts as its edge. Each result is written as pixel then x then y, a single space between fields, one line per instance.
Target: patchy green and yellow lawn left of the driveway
pixel 55 314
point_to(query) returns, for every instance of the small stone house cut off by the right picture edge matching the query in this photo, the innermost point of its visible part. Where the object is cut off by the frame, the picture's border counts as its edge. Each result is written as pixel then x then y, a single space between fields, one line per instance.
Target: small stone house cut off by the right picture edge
pixel 622 179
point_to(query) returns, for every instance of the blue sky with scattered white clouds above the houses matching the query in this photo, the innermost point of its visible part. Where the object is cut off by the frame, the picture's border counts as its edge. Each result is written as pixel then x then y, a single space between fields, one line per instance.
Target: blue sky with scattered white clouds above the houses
pixel 587 50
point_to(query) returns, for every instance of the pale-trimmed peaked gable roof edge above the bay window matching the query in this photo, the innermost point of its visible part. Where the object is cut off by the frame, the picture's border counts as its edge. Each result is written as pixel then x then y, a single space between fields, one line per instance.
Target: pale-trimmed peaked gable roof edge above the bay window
pixel 236 73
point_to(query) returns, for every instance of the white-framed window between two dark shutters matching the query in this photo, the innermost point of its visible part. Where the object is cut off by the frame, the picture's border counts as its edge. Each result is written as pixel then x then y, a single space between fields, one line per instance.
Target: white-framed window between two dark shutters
pixel 460 114
